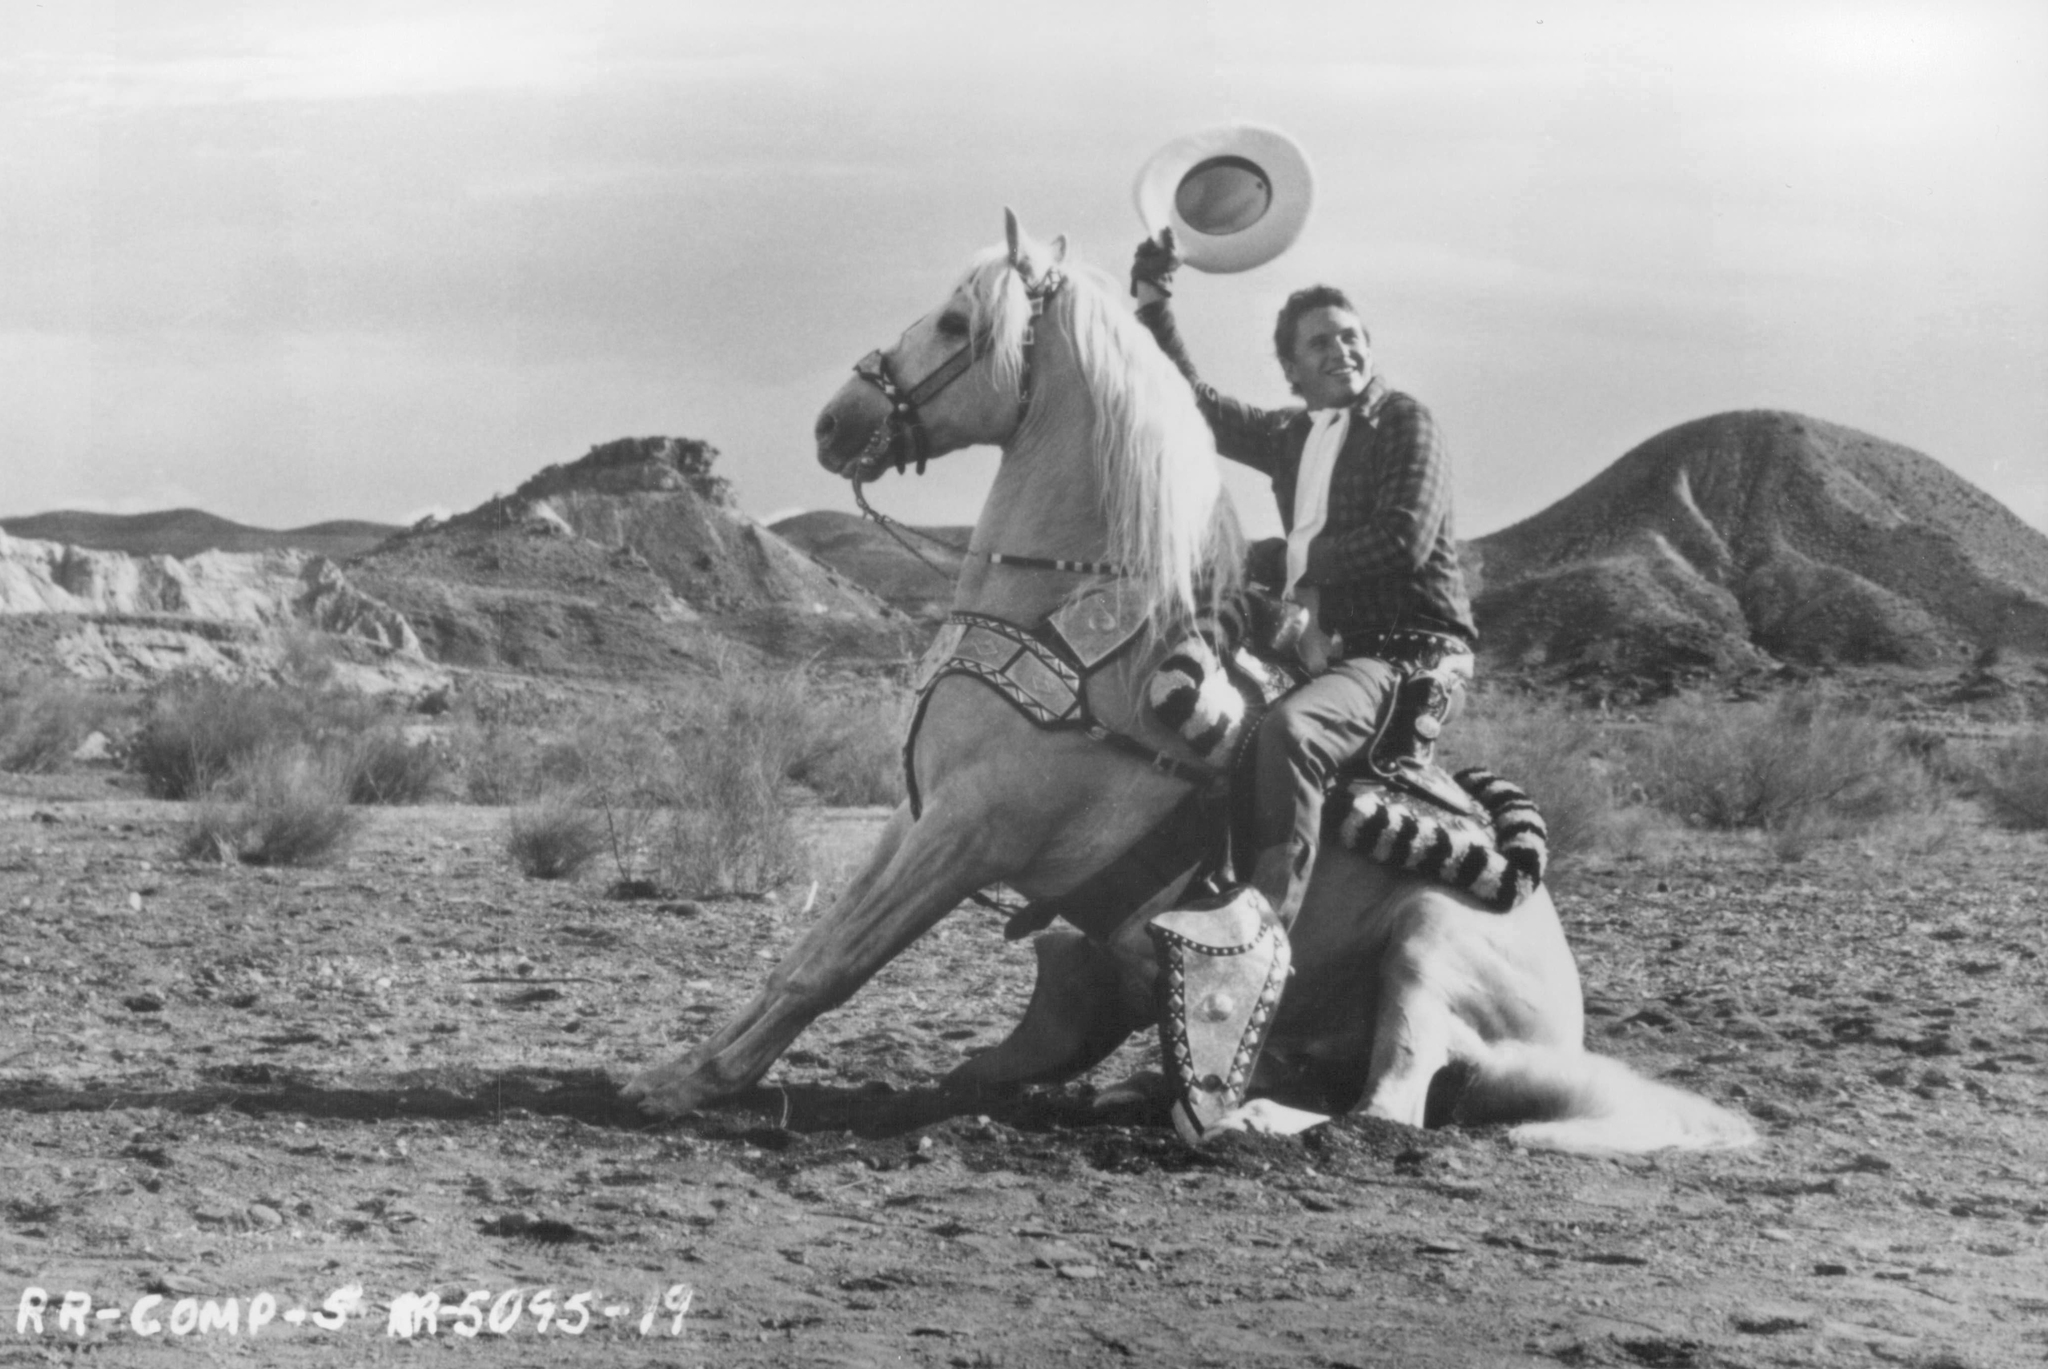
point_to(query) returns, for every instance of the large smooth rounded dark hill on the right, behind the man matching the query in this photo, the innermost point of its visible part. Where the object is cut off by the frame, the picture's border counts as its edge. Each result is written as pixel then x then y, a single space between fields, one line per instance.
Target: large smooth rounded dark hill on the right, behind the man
pixel 1762 536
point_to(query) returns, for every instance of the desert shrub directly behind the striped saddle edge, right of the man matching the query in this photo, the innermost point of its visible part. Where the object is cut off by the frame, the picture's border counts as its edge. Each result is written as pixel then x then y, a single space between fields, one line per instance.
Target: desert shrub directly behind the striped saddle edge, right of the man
pixel 1562 757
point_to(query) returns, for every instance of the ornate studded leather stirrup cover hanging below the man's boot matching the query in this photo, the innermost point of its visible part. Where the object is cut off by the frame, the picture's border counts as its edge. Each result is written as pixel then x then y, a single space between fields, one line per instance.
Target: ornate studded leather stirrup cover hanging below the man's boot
pixel 1226 966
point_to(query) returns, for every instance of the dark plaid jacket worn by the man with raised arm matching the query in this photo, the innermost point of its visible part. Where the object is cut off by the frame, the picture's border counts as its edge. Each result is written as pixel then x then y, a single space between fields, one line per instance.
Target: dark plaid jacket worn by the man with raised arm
pixel 1388 558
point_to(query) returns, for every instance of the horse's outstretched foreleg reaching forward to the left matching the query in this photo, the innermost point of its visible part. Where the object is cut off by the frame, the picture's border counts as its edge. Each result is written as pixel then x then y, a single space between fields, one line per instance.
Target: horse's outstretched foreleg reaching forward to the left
pixel 921 872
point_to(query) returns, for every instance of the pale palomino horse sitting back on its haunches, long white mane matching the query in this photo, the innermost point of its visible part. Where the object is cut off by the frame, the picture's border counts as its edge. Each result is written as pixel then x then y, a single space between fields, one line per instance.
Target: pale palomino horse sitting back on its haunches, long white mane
pixel 1109 472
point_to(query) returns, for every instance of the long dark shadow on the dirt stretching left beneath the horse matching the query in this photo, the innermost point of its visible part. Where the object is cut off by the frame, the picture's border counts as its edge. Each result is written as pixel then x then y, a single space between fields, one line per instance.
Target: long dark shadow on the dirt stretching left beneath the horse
pixel 767 1128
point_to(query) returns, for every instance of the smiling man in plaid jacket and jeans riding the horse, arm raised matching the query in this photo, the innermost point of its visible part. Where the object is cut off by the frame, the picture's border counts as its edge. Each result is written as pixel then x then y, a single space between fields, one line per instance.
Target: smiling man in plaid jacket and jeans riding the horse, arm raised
pixel 1365 495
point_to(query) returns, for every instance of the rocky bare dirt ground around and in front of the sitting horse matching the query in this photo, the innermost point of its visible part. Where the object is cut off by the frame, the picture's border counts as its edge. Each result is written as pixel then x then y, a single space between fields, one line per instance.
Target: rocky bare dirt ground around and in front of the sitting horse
pixel 323 1091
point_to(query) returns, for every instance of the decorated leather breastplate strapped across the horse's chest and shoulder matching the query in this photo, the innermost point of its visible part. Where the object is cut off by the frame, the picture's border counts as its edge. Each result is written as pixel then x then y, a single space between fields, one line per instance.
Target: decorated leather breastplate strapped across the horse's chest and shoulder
pixel 1041 671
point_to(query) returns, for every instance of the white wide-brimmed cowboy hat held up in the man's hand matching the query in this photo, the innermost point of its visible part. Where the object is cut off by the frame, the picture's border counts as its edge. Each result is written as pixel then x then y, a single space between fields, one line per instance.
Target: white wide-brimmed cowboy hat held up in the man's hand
pixel 1234 196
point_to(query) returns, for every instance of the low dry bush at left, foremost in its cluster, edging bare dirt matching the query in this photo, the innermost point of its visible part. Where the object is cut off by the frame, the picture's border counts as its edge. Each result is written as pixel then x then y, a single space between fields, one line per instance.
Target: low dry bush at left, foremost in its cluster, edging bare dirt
pixel 275 806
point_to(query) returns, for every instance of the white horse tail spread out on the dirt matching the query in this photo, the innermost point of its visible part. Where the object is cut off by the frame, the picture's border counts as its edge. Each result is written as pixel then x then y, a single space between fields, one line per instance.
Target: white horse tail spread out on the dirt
pixel 1590 1106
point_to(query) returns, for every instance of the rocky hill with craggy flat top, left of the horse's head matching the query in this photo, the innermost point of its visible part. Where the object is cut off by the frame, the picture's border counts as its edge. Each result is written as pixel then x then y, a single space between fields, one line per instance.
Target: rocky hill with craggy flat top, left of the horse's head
pixel 630 561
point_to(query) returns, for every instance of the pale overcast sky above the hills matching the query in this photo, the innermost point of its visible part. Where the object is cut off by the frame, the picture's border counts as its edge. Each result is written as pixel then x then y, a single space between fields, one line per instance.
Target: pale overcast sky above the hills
pixel 298 261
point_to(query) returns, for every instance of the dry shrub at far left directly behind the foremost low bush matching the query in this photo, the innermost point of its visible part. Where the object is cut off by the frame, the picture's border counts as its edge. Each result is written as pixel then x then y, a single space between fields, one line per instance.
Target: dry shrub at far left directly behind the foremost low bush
pixel 196 733
